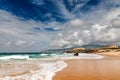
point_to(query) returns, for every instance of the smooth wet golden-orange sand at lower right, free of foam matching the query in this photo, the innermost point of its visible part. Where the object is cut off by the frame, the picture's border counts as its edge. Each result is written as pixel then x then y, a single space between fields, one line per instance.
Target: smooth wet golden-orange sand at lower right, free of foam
pixel 88 69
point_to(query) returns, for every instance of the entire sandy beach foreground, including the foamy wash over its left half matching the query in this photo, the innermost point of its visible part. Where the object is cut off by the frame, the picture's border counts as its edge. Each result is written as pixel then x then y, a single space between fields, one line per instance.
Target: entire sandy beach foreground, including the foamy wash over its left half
pixel 84 67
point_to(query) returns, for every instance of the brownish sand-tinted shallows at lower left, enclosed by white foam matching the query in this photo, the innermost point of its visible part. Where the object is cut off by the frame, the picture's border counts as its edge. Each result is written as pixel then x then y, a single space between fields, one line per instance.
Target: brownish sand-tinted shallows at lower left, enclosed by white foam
pixel 16 69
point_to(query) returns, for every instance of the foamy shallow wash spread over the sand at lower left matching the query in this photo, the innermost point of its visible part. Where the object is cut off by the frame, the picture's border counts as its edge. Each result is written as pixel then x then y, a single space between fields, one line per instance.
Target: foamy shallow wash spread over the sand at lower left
pixel 33 70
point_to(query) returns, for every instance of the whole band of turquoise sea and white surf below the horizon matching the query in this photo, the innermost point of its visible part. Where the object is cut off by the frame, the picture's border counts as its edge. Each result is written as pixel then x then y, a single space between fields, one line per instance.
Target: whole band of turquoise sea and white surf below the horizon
pixel 45 56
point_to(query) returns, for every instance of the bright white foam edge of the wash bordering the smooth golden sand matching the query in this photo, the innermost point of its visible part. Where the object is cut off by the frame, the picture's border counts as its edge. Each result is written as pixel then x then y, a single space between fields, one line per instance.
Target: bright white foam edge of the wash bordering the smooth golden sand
pixel 46 72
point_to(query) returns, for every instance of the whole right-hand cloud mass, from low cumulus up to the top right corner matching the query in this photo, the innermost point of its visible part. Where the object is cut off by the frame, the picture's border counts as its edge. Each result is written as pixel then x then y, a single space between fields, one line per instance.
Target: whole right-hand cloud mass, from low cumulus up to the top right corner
pixel 101 26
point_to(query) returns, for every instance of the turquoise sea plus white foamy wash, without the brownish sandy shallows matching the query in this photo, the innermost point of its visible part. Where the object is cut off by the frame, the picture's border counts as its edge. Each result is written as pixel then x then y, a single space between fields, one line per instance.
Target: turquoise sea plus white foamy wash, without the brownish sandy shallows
pixel 49 64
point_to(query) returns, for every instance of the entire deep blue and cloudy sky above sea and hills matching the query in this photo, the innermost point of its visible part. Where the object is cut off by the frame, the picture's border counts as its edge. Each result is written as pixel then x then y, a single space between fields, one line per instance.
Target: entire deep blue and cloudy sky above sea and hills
pixel 36 25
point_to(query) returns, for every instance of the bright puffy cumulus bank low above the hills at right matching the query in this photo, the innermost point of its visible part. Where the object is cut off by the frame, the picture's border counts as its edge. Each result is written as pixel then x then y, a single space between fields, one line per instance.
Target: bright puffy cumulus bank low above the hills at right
pixel 96 35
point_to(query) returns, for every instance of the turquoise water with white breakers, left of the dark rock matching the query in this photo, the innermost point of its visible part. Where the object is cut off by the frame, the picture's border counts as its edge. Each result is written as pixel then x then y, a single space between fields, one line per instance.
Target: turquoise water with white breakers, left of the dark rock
pixel 4 56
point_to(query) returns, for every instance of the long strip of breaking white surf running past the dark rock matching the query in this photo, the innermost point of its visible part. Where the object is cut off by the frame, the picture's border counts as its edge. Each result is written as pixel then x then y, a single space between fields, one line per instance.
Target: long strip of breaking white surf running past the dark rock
pixel 51 56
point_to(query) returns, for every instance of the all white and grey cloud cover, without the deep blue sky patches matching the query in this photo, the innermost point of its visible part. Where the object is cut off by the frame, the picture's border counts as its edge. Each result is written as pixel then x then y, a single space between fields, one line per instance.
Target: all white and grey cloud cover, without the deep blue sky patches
pixel 99 26
